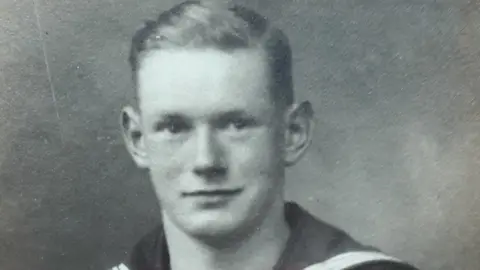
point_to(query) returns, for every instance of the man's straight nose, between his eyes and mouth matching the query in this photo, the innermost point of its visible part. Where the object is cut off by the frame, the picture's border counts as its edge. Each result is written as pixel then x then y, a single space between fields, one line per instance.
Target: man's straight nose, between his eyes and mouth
pixel 209 161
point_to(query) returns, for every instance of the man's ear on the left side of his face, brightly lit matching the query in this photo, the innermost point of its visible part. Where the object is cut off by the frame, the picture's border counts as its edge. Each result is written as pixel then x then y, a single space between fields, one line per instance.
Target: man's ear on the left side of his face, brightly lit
pixel 133 137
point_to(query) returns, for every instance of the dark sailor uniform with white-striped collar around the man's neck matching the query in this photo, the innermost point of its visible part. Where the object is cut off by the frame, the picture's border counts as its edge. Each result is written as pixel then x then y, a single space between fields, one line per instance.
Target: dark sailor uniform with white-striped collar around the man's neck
pixel 313 245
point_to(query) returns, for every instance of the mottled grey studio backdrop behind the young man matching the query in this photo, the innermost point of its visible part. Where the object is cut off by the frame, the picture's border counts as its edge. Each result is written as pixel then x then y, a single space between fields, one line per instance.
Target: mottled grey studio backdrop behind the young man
pixel 395 159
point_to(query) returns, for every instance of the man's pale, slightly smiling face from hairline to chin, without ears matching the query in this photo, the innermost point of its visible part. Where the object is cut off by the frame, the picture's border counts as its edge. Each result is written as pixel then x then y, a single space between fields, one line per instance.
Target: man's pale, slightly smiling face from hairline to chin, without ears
pixel 212 136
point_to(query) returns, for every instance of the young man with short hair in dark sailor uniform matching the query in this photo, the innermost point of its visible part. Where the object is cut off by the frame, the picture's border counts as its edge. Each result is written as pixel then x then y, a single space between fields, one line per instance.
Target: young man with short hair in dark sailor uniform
pixel 216 125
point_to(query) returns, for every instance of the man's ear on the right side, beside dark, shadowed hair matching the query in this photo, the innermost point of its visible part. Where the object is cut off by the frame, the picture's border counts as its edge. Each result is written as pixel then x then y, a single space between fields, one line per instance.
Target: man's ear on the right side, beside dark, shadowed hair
pixel 298 131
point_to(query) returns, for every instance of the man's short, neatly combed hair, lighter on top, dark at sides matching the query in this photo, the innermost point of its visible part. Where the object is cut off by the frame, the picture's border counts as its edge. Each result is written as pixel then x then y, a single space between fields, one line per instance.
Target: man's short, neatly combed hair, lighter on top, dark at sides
pixel 223 26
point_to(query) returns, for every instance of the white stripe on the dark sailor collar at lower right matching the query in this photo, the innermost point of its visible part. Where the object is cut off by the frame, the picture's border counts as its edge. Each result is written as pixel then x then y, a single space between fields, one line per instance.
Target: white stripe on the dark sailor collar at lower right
pixel 350 259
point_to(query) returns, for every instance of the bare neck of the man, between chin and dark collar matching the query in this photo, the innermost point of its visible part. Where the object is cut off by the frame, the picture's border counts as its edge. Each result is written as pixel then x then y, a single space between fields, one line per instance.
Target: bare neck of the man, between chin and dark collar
pixel 260 250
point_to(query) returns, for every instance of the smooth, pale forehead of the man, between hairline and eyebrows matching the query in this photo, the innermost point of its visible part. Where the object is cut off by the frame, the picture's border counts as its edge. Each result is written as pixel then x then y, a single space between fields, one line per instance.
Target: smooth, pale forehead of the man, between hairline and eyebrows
pixel 201 80
